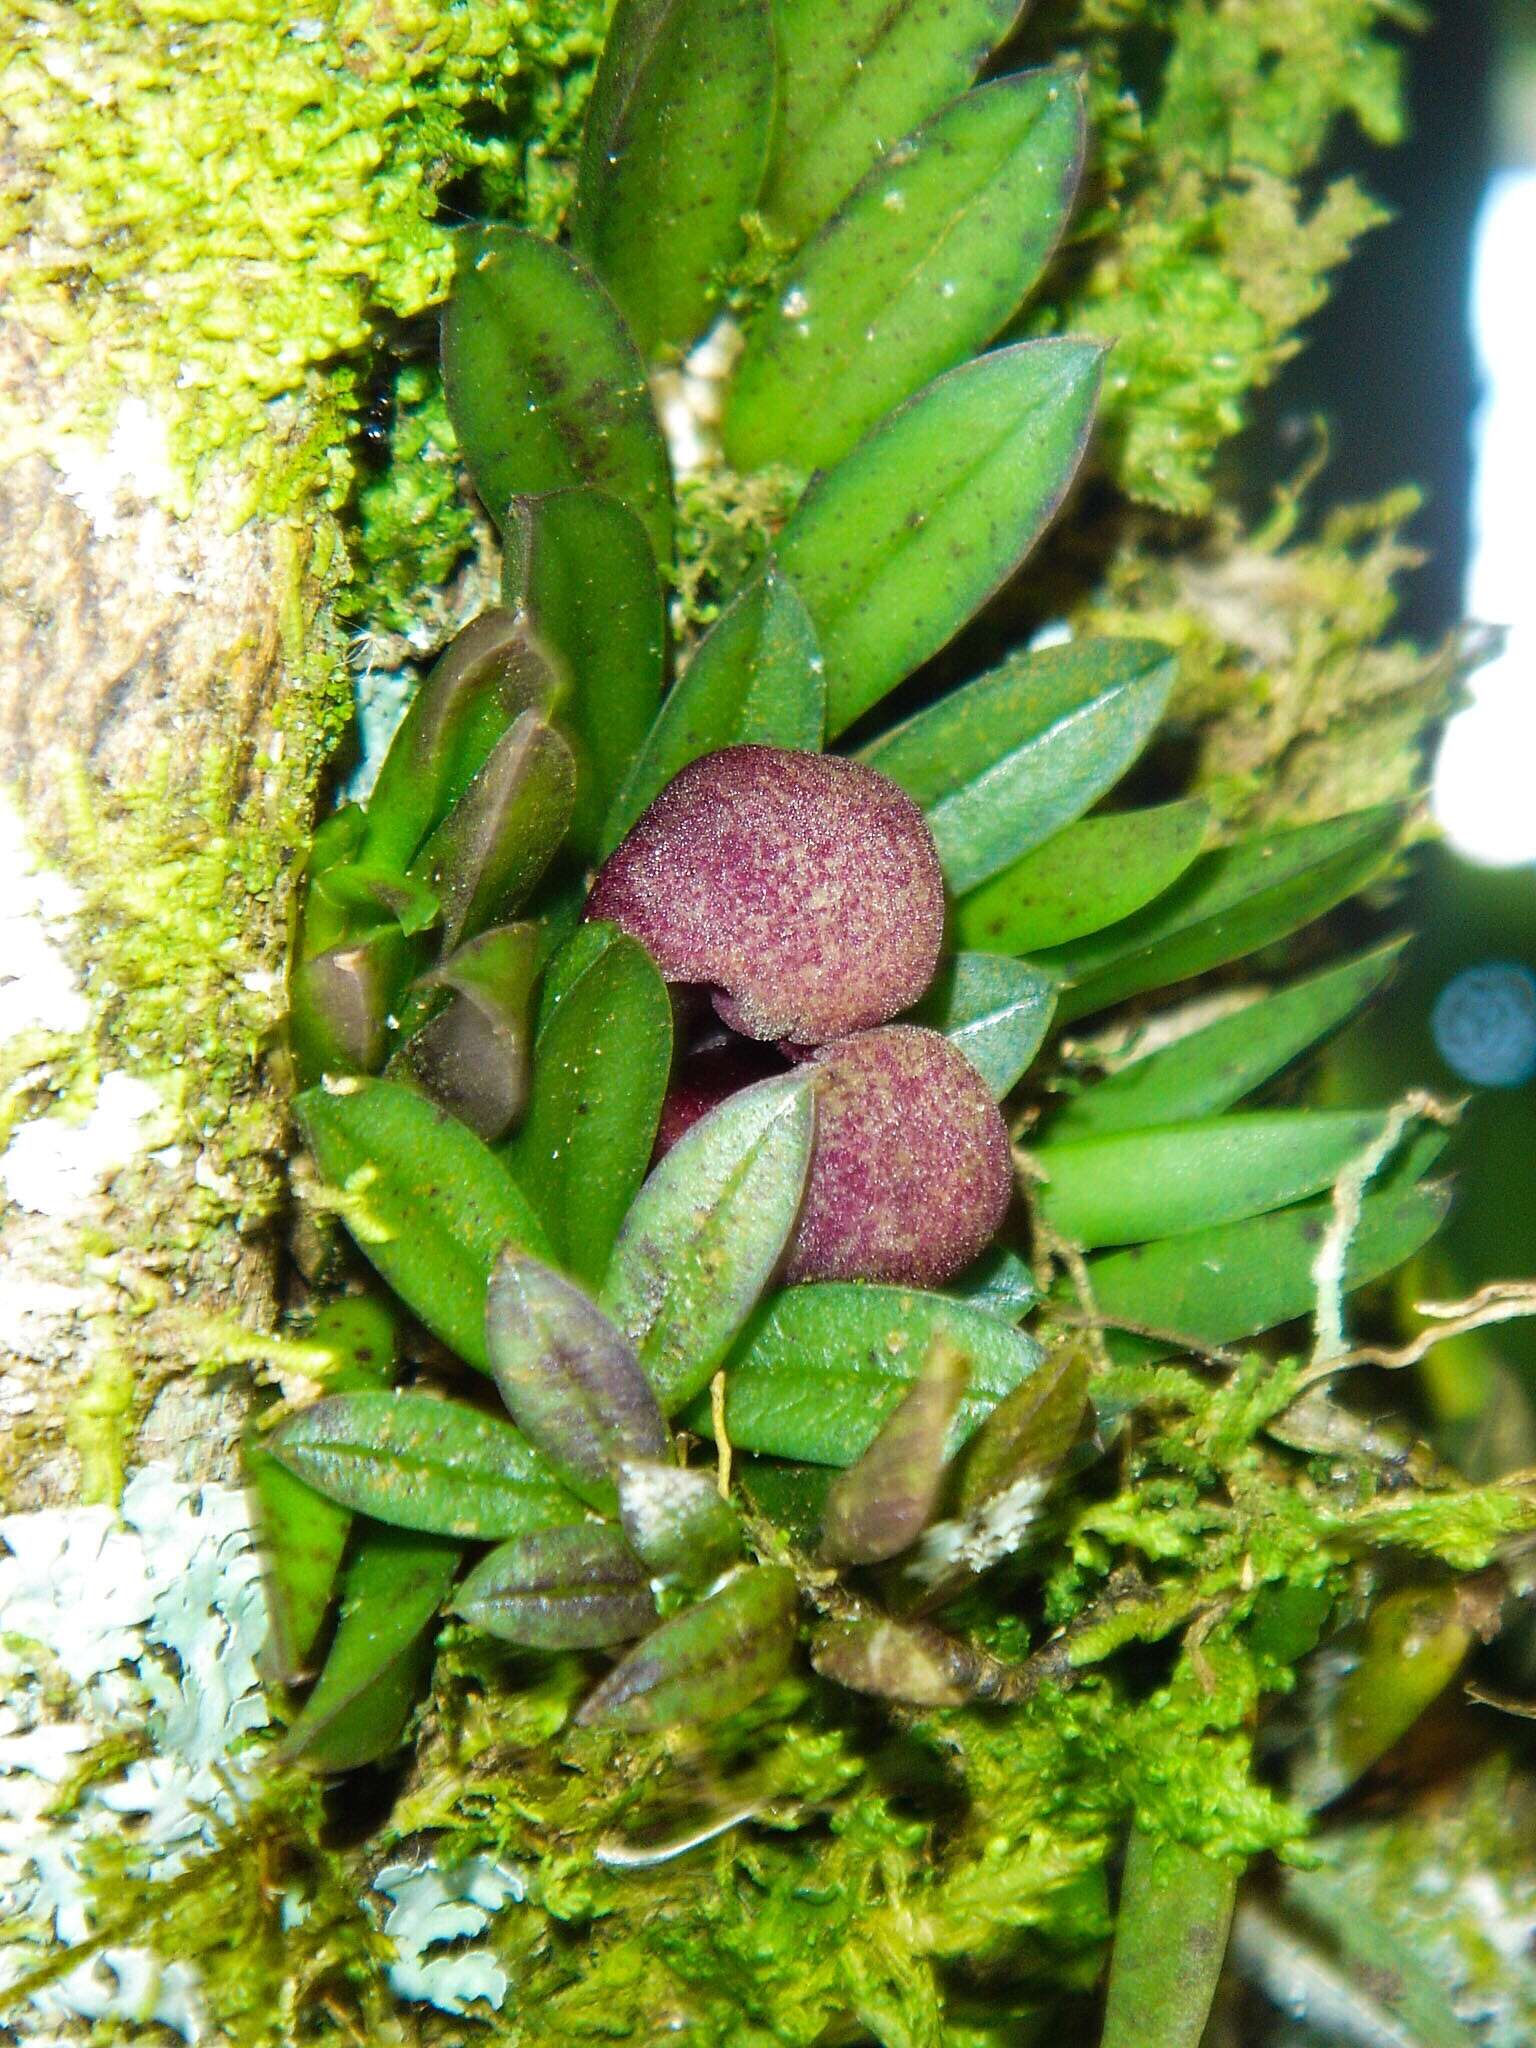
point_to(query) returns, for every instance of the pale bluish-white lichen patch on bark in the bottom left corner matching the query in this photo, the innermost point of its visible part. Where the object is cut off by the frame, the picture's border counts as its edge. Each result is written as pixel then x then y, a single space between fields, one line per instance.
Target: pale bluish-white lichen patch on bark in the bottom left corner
pixel 155 1619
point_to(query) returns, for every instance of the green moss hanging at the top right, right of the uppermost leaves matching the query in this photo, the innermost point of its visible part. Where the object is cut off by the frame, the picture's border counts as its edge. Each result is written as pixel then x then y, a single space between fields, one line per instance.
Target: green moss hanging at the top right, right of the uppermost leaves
pixel 1205 241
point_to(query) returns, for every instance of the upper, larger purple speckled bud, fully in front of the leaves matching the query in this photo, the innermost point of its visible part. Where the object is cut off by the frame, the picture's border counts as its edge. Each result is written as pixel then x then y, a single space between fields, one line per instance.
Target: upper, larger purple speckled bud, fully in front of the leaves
pixel 802 888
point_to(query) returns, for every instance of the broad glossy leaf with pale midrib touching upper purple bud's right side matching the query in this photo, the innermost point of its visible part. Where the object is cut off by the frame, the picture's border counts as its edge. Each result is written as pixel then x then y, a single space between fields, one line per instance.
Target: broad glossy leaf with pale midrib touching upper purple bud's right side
pixel 1015 757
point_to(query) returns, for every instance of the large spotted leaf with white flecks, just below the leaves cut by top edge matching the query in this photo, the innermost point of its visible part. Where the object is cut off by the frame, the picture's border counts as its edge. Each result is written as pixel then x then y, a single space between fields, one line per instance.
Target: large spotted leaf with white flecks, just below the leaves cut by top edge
pixel 914 275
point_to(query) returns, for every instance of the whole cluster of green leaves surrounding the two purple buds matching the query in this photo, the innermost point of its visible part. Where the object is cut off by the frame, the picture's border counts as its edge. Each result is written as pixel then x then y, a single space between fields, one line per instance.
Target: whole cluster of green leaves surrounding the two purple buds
pixel 691 1459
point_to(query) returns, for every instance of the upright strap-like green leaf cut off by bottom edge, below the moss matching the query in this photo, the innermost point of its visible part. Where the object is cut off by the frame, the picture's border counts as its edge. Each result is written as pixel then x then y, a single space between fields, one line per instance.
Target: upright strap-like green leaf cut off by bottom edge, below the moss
pixel 1170 1940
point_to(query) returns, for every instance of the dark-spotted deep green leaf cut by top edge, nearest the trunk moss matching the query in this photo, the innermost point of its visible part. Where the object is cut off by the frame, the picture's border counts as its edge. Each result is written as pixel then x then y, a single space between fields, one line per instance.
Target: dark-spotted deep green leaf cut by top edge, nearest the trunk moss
pixel 673 155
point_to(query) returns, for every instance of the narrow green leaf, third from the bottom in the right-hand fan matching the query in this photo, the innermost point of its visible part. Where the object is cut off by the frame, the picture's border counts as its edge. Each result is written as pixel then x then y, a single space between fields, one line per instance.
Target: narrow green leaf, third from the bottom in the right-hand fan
pixel 1213 1068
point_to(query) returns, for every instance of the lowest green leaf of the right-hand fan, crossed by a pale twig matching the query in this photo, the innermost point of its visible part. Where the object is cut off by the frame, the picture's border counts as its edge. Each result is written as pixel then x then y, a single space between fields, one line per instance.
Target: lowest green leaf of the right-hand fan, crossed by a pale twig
pixel 1240 1279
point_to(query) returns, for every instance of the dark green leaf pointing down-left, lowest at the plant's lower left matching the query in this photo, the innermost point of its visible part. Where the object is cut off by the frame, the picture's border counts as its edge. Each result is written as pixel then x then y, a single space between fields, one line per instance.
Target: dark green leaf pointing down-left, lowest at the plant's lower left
pixel 382 1654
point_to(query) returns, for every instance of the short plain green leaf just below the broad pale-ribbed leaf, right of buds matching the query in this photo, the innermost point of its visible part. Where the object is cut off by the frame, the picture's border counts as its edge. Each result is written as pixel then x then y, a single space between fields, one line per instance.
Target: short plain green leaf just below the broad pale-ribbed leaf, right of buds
pixel 1095 873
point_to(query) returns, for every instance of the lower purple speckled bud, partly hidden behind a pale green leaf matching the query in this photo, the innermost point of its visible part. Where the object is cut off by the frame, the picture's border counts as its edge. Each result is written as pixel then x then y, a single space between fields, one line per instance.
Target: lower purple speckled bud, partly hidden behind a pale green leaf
pixel 912 1172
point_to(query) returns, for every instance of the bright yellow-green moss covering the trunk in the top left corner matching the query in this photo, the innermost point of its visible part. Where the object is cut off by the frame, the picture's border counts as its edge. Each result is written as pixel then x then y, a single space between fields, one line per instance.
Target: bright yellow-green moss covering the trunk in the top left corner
pixel 222 198
